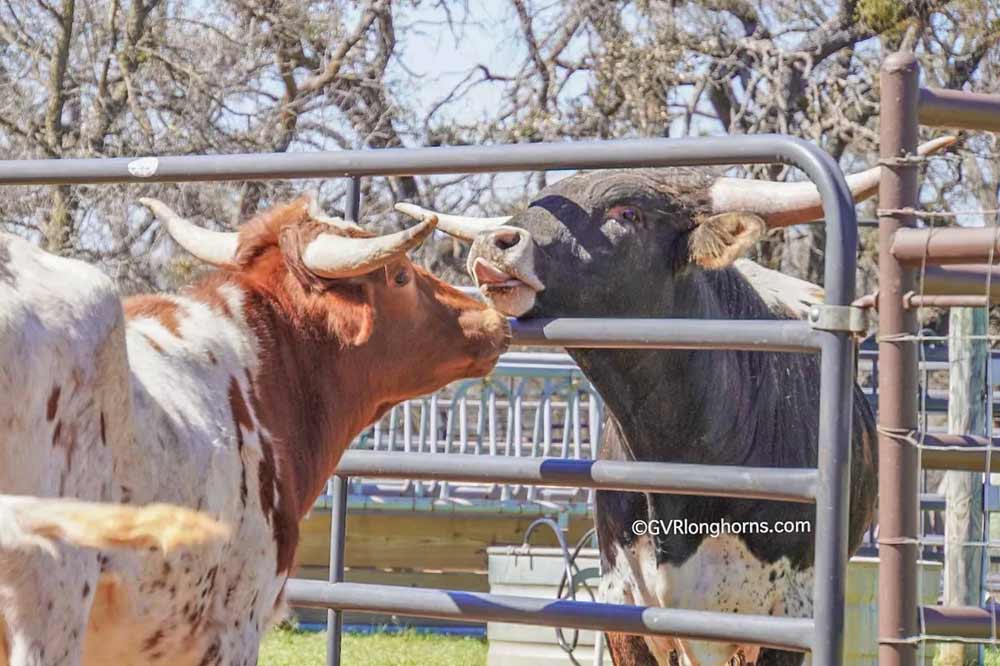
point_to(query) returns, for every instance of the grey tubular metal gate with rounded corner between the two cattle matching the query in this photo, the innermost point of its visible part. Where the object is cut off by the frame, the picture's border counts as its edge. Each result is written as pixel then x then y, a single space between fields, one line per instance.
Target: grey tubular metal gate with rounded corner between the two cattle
pixel 826 486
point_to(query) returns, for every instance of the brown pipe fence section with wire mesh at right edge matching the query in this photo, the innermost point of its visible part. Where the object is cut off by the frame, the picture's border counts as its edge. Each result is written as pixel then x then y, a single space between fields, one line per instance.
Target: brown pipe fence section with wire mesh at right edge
pixel 926 260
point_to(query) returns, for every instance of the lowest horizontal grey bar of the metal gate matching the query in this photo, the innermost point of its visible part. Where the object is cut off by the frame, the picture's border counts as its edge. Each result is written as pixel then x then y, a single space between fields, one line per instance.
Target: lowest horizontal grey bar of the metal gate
pixel 777 632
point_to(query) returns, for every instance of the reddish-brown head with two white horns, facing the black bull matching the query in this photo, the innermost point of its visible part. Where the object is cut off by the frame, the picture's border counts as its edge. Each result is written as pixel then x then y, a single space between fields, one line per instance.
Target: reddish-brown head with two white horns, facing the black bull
pixel 334 287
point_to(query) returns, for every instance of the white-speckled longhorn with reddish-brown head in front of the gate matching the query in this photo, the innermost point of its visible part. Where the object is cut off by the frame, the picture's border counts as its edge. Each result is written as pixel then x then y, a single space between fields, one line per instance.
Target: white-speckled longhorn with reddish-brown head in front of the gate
pixel 235 398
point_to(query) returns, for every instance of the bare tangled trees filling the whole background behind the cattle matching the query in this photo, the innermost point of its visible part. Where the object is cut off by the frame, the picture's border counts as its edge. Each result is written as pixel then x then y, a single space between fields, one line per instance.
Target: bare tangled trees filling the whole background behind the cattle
pixel 121 78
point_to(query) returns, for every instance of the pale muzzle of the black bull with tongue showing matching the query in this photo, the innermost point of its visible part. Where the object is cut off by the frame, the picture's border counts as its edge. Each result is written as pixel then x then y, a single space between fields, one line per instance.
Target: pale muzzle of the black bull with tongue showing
pixel 502 262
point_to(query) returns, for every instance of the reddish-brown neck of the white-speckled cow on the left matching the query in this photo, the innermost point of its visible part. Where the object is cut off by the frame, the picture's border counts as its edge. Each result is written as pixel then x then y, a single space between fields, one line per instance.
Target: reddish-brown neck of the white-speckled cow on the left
pixel 312 393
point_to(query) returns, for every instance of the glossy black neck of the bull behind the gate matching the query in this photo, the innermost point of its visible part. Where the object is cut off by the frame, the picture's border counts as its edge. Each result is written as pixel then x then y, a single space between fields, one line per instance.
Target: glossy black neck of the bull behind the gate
pixel 680 405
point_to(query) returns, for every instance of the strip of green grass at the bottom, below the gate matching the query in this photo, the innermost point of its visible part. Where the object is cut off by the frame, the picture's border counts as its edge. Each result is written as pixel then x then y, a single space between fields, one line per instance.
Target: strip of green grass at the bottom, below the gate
pixel 293 647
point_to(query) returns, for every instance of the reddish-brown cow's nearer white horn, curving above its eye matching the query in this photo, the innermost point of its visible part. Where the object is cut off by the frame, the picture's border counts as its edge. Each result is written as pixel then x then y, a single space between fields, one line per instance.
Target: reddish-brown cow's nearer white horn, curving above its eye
pixel 334 256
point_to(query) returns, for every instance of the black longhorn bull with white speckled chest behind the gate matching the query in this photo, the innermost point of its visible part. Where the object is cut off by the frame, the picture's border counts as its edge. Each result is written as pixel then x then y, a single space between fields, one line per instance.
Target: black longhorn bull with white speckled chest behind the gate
pixel 665 243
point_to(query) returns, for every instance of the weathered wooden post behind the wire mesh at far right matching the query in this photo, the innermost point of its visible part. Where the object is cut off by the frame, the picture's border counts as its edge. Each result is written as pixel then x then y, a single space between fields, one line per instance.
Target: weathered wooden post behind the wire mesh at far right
pixel 963 491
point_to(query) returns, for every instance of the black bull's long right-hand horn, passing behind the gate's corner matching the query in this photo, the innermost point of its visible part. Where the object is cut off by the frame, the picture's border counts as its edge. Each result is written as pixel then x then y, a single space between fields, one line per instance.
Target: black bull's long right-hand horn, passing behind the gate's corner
pixel 785 204
